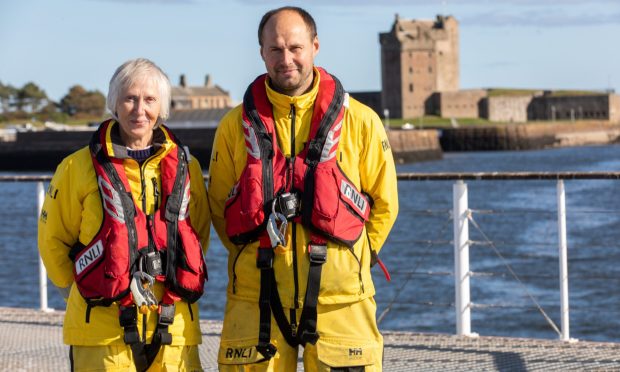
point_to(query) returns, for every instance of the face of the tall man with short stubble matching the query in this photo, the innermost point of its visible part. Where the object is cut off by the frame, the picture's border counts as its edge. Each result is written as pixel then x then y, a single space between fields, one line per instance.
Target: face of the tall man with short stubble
pixel 288 51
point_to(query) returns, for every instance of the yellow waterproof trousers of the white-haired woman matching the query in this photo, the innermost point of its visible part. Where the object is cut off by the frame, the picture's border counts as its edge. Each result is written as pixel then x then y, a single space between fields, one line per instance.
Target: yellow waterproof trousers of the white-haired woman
pixel 119 358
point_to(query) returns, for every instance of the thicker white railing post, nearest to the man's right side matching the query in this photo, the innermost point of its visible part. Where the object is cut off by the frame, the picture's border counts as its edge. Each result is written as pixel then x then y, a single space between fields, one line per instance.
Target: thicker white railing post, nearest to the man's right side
pixel 461 259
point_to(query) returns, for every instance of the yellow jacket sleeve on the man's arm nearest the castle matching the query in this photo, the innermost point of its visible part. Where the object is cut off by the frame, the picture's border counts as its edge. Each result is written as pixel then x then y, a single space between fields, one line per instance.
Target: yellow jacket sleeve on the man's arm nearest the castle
pixel 378 179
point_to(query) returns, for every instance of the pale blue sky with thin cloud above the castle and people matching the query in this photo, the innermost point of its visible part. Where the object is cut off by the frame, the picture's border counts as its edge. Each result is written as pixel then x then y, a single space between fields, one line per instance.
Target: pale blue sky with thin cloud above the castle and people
pixel 554 44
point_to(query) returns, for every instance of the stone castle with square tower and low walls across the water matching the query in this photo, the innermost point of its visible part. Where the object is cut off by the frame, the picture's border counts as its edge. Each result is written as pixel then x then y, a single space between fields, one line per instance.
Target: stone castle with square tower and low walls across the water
pixel 420 76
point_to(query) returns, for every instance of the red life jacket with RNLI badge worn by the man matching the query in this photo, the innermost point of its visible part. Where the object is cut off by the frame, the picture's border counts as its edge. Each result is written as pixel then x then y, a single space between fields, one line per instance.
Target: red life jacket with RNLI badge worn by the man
pixel 331 205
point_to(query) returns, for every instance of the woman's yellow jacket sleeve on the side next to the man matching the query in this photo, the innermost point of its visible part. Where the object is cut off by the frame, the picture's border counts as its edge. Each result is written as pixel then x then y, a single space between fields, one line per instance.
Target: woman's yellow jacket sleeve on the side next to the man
pixel 199 211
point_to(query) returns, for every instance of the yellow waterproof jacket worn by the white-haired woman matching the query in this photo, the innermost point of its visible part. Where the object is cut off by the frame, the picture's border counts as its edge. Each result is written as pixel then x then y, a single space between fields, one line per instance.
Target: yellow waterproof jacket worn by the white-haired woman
pixel 72 211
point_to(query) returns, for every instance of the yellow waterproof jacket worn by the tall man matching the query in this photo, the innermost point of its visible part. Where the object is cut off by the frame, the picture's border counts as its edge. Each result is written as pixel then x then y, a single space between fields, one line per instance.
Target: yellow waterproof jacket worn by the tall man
pixel 365 157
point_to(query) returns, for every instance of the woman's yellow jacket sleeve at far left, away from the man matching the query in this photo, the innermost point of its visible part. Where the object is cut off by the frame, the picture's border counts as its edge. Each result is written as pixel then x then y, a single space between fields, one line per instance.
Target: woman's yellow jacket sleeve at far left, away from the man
pixel 59 222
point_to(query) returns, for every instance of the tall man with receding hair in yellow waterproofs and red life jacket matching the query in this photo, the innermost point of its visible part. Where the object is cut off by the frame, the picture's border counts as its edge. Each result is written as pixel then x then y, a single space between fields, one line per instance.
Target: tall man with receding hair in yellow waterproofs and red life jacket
pixel 303 195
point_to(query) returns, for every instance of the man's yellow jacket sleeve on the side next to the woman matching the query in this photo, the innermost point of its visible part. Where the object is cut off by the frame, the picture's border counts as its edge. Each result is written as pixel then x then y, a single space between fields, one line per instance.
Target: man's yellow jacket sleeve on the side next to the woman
pixel 223 170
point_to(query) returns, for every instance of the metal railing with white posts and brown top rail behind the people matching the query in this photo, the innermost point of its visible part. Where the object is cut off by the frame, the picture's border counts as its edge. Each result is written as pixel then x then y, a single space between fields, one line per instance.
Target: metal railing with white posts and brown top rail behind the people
pixel 462 217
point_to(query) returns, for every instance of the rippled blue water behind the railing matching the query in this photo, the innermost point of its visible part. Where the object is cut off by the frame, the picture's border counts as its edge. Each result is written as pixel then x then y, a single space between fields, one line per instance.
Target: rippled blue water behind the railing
pixel 519 217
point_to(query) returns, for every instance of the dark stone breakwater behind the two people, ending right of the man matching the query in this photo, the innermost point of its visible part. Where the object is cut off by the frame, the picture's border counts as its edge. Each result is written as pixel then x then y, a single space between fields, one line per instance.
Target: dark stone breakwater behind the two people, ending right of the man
pixel 44 150
